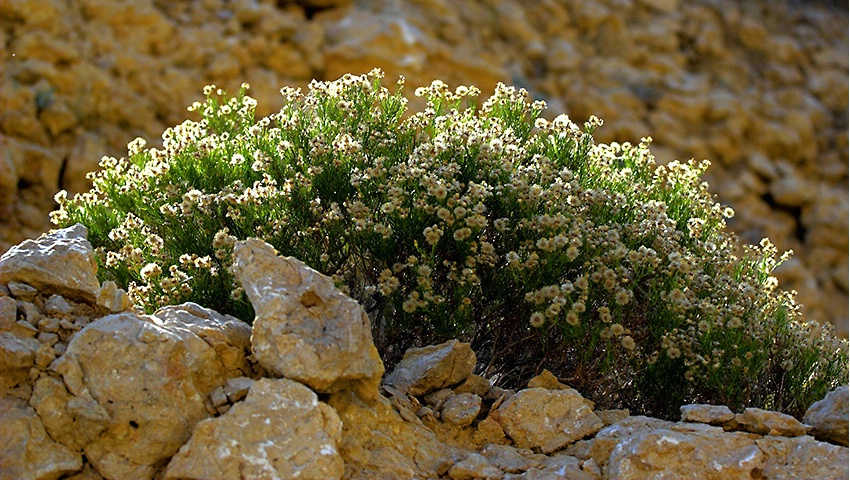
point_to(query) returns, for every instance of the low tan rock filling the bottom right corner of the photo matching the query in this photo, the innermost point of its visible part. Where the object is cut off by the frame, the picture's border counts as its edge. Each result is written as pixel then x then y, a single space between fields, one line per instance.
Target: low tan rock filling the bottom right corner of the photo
pixel 802 457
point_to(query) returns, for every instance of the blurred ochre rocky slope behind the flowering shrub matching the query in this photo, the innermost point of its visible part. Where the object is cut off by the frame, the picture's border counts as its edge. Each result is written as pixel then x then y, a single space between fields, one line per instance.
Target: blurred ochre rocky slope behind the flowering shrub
pixel 759 87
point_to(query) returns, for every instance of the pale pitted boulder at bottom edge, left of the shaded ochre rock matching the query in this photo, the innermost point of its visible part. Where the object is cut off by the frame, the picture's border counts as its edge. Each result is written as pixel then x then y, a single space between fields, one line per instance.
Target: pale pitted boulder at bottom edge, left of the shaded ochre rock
pixel 280 430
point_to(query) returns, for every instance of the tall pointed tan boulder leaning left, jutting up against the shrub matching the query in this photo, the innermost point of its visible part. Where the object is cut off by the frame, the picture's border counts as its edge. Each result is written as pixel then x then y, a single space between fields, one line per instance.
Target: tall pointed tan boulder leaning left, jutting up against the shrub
pixel 305 329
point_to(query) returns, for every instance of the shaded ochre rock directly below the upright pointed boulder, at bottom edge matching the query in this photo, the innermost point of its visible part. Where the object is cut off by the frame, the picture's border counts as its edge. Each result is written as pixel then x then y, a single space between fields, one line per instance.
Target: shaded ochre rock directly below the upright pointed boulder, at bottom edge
pixel 377 443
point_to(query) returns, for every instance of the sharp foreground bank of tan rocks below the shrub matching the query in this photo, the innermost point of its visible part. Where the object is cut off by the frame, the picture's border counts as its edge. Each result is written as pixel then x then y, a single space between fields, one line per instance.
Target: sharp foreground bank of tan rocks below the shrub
pixel 90 389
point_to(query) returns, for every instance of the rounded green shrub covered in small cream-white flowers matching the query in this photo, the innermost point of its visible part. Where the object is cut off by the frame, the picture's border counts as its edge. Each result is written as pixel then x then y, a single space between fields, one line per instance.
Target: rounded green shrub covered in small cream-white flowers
pixel 492 224
